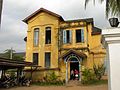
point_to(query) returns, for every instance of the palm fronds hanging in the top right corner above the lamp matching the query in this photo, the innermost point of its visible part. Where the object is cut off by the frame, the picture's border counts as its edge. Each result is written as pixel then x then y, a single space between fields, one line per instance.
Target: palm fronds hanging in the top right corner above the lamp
pixel 112 7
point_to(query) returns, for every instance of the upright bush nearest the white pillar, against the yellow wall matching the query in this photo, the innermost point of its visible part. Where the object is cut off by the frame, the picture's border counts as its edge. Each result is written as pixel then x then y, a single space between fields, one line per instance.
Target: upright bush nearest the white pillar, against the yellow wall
pixel 99 71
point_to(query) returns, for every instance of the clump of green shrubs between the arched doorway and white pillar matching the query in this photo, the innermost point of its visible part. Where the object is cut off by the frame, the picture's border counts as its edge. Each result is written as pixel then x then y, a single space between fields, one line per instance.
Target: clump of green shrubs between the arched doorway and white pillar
pixel 92 76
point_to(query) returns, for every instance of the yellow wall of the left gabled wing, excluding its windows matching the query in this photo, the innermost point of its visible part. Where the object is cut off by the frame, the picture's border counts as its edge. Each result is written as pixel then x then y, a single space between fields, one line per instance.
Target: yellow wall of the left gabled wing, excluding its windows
pixel 41 21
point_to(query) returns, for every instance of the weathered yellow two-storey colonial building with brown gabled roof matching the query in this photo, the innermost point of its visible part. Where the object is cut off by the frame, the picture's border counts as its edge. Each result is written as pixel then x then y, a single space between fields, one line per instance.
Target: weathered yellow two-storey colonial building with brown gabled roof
pixel 62 46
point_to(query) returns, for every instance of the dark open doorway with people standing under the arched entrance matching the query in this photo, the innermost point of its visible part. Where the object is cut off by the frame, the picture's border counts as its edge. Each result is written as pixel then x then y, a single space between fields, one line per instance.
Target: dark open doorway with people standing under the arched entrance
pixel 74 70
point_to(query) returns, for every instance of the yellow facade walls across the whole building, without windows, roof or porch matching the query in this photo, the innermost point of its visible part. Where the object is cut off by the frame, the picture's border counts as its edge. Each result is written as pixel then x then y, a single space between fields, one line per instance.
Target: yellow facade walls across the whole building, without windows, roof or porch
pixel 91 47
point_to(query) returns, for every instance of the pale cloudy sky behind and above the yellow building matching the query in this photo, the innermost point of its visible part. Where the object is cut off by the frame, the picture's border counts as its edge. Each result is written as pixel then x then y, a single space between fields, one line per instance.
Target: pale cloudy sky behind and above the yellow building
pixel 13 29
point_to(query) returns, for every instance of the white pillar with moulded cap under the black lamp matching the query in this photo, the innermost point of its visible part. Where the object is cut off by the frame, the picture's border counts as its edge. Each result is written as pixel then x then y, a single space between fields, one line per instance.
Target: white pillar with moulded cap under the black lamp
pixel 111 41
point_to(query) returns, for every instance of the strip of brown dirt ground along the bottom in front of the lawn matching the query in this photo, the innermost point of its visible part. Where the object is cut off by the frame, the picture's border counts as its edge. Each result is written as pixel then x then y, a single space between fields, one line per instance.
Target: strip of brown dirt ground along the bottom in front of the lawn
pixel 97 87
